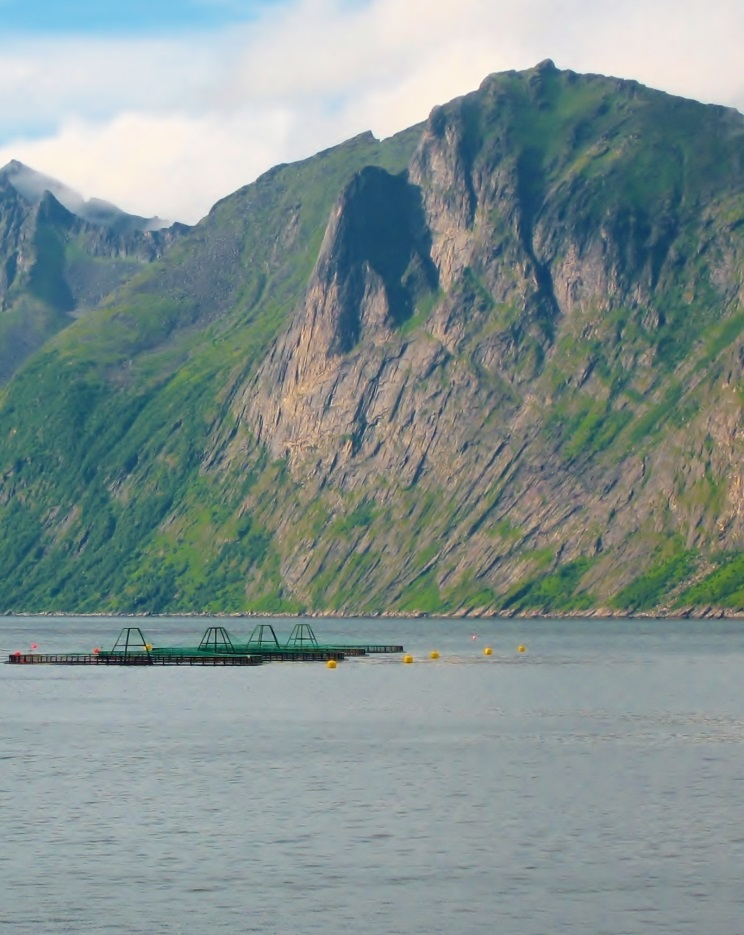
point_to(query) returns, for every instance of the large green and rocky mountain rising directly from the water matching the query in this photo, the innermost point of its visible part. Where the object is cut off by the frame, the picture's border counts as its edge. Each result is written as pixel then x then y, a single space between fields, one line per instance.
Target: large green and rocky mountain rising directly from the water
pixel 492 364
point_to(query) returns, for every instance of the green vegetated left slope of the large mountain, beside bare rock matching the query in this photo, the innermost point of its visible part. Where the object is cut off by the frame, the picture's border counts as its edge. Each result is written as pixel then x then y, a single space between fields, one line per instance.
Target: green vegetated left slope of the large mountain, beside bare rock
pixel 118 414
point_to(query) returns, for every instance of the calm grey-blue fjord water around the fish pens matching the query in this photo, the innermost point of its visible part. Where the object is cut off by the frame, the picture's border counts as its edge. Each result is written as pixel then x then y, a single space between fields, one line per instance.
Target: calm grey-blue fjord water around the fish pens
pixel 590 785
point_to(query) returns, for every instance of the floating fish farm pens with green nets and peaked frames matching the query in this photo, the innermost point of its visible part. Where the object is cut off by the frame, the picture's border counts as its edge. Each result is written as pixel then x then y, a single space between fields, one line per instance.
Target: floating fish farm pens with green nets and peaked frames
pixel 216 648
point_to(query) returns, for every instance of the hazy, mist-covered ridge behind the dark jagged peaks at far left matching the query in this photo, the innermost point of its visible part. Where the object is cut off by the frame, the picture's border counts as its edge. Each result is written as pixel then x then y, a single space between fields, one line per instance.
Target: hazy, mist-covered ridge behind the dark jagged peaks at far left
pixel 31 185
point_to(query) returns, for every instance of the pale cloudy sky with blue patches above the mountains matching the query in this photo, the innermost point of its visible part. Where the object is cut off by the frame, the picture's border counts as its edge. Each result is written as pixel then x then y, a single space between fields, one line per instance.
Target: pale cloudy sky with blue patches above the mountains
pixel 165 106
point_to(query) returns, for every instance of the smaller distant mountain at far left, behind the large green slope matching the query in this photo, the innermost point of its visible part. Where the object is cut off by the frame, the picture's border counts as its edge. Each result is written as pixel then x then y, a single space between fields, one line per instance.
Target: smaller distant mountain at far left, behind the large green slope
pixel 60 256
